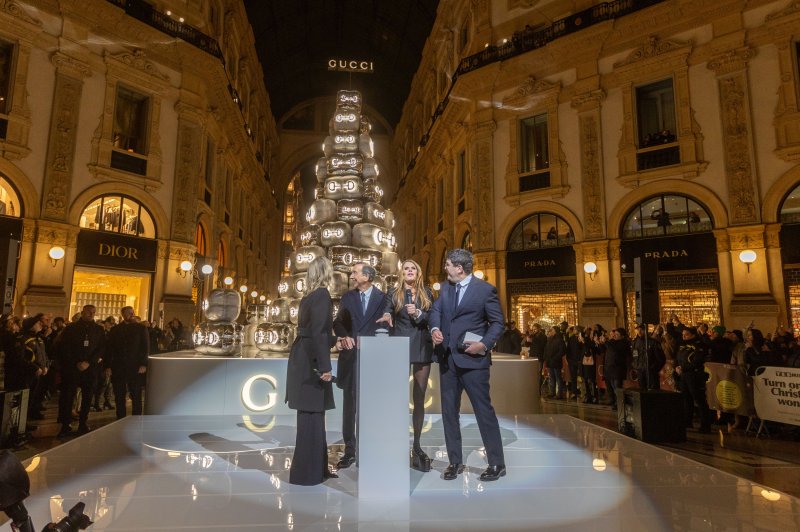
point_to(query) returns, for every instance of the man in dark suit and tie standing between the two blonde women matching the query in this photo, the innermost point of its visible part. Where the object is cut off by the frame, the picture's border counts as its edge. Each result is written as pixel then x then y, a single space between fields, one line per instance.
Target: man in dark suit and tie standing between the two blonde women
pixel 359 311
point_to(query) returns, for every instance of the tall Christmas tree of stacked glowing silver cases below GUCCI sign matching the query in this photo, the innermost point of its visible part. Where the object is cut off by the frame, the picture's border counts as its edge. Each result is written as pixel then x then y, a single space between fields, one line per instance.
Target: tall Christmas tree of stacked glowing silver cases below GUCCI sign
pixel 346 223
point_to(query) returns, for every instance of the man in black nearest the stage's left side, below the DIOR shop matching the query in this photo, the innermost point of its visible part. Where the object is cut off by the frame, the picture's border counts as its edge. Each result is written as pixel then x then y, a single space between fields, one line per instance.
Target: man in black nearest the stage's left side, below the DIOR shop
pixel 126 361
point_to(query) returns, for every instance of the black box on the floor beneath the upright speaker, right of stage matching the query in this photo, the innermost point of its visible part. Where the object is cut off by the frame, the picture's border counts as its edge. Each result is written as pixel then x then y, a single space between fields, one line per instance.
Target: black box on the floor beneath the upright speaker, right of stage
pixel 653 416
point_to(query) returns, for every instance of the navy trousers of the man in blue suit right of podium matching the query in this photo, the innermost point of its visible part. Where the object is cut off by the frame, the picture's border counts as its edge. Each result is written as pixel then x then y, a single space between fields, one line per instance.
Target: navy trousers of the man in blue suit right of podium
pixel 454 380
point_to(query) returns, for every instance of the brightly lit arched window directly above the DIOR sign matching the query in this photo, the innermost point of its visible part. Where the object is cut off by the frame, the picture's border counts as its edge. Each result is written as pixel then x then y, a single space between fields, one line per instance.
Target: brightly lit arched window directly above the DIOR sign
pixel 118 214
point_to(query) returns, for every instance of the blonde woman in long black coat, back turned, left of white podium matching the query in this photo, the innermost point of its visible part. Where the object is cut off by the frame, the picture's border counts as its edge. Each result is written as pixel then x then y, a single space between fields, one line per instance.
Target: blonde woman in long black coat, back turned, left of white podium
pixel 308 379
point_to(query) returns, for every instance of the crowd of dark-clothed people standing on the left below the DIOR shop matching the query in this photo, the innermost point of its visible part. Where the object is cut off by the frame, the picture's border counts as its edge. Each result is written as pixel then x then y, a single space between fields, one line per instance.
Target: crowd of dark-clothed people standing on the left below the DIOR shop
pixel 69 361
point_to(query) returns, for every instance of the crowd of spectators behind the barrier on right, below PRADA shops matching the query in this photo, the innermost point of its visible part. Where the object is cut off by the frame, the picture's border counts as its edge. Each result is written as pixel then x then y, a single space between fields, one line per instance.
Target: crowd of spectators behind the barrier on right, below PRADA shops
pixel 670 356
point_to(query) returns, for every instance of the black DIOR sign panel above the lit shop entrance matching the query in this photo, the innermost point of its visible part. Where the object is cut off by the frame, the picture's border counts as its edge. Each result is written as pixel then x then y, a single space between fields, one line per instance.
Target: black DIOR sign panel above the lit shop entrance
pixel 112 250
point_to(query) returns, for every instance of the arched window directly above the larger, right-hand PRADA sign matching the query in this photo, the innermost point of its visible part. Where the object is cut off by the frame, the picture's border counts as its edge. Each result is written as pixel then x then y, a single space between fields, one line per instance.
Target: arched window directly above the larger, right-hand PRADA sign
pixel 666 215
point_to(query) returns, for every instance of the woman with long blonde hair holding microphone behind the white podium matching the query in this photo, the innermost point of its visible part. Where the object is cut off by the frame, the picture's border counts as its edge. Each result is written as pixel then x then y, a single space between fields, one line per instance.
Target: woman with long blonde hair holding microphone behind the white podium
pixel 406 310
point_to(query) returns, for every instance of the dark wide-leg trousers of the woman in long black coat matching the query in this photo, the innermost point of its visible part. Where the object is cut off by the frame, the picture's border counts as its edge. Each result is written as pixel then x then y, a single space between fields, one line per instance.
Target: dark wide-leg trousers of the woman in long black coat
pixel 310 460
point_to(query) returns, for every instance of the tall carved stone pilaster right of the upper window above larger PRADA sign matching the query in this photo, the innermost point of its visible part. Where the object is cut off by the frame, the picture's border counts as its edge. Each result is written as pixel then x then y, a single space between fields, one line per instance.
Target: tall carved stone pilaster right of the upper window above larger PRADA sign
pixel 734 93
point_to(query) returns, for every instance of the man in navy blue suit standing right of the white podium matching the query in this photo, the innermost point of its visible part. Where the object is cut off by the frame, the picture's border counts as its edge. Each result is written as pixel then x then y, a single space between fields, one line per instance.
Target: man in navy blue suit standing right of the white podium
pixel 467 305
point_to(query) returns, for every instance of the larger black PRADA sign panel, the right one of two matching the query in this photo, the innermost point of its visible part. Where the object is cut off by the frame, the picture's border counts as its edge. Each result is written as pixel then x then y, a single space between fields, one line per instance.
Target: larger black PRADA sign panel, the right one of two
pixel 673 253
